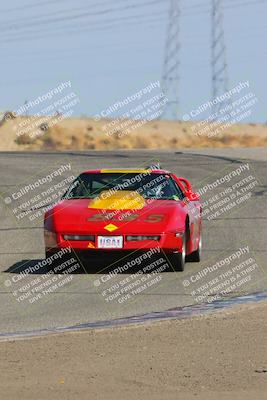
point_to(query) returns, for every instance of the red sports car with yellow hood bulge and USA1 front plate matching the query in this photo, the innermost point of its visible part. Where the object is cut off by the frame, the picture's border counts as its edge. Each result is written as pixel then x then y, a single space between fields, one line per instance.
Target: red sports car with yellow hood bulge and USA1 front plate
pixel 113 210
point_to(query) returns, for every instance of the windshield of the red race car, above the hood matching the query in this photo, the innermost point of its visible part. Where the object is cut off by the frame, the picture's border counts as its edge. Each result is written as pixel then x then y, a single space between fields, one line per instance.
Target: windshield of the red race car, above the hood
pixel 149 185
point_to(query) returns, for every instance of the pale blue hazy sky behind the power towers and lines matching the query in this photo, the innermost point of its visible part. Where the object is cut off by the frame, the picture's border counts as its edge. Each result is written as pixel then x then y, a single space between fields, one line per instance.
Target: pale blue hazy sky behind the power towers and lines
pixel 111 49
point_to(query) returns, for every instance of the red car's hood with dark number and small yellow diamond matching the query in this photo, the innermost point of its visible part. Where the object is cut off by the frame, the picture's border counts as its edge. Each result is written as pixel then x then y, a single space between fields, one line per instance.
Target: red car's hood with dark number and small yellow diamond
pixel 152 216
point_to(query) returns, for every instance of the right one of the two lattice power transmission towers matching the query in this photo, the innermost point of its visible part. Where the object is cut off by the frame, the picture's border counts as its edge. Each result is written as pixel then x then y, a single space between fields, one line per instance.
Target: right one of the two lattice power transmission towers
pixel 218 61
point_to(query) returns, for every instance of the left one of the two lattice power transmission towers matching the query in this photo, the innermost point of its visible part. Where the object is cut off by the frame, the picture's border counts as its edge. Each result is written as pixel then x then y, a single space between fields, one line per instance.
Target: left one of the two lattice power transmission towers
pixel 170 79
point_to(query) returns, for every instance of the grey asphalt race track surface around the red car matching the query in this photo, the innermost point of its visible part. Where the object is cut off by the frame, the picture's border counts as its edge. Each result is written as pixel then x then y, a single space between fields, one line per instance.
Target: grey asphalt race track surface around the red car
pixel 81 299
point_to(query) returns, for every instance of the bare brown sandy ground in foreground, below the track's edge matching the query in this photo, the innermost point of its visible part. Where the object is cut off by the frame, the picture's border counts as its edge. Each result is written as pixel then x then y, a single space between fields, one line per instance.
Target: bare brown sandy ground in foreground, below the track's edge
pixel 219 356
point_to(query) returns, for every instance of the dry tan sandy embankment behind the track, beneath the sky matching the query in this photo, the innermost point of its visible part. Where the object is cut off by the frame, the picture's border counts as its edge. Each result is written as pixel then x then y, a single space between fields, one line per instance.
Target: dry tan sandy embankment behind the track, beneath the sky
pixel 88 134
